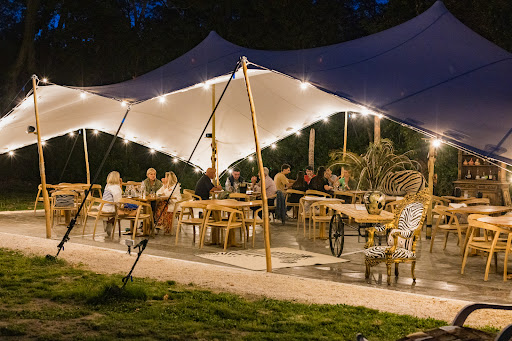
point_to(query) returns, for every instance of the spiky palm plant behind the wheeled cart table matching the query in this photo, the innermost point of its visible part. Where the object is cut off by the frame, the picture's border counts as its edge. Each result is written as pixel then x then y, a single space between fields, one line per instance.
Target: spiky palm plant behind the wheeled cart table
pixel 371 167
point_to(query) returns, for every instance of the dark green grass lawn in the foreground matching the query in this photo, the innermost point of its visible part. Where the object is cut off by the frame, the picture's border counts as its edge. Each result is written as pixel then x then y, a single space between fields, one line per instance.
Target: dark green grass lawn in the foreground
pixel 52 300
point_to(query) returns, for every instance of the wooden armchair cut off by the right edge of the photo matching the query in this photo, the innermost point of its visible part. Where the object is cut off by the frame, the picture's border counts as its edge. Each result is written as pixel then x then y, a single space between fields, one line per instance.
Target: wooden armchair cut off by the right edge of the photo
pixel 490 242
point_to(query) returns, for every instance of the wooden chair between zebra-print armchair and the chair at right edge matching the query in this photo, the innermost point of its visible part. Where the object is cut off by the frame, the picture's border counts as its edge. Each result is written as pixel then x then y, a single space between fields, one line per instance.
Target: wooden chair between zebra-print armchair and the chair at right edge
pixel 451 226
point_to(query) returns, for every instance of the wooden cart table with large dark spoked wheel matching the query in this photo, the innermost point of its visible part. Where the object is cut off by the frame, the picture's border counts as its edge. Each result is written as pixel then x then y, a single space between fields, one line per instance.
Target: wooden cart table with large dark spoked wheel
pixel 359 214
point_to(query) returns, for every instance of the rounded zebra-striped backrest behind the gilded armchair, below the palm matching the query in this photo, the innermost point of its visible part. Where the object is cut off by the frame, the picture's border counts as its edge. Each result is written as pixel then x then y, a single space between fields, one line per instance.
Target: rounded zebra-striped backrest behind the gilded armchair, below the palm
pixel 402 182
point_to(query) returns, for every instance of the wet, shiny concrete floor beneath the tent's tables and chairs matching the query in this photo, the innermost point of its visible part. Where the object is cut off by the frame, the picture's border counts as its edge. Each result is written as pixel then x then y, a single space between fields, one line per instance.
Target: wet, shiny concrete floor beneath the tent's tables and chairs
pixel 438 273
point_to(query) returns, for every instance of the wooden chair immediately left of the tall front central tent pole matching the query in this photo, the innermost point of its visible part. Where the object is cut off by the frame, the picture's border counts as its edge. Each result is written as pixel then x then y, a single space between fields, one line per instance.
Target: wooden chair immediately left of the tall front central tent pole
pixel 213 219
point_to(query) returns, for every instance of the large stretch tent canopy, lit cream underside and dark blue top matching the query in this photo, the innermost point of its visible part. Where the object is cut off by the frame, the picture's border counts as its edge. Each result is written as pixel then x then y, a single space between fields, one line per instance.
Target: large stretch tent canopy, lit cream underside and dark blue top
pixel 431 73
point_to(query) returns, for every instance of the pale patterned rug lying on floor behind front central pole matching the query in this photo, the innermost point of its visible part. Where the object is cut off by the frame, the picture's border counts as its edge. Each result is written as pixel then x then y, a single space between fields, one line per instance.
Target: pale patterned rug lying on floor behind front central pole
pixel 282 257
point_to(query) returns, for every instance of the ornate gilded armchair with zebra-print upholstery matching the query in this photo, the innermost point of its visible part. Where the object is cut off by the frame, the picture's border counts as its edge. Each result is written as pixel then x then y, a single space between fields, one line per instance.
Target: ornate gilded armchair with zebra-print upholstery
pixel 404 232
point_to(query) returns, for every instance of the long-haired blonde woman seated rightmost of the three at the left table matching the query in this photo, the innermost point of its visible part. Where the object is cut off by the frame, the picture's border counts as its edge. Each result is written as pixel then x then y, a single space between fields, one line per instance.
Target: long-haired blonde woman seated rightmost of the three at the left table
pixel 164 211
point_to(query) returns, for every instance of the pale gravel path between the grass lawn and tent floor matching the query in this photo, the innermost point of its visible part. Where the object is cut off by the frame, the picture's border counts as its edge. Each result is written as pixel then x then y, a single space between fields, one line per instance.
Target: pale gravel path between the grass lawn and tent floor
pixel 255 283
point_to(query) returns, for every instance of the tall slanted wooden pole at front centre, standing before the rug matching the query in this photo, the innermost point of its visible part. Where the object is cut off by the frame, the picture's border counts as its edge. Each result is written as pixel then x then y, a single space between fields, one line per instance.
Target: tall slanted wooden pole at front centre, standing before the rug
pixel 260 168
